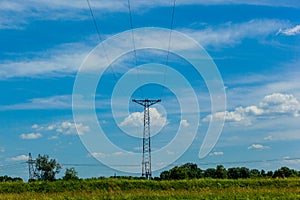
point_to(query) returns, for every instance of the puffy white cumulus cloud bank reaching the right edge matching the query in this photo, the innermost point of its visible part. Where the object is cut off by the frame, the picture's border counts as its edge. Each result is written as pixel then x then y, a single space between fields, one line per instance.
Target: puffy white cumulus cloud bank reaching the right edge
pixel 272 105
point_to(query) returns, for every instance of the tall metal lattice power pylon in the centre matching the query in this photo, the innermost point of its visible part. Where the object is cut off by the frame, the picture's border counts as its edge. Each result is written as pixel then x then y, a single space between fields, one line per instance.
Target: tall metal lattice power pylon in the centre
pixel 146 162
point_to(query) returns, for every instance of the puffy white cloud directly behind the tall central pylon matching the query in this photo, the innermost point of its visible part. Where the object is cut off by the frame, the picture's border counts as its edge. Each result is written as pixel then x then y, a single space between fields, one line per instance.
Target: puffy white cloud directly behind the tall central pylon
pixel 136 119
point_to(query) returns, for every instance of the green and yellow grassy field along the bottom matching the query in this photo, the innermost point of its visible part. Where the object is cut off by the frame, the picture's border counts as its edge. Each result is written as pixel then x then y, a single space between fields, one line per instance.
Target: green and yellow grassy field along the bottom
pixel 144 189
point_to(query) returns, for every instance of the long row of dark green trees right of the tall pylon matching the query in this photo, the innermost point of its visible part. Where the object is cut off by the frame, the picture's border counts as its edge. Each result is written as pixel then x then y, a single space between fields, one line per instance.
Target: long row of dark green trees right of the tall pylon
pixel 192 171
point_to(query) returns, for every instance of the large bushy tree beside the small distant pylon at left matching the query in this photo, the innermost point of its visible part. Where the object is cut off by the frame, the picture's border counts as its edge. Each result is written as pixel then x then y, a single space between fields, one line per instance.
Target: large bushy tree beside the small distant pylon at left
pixel 47 168
